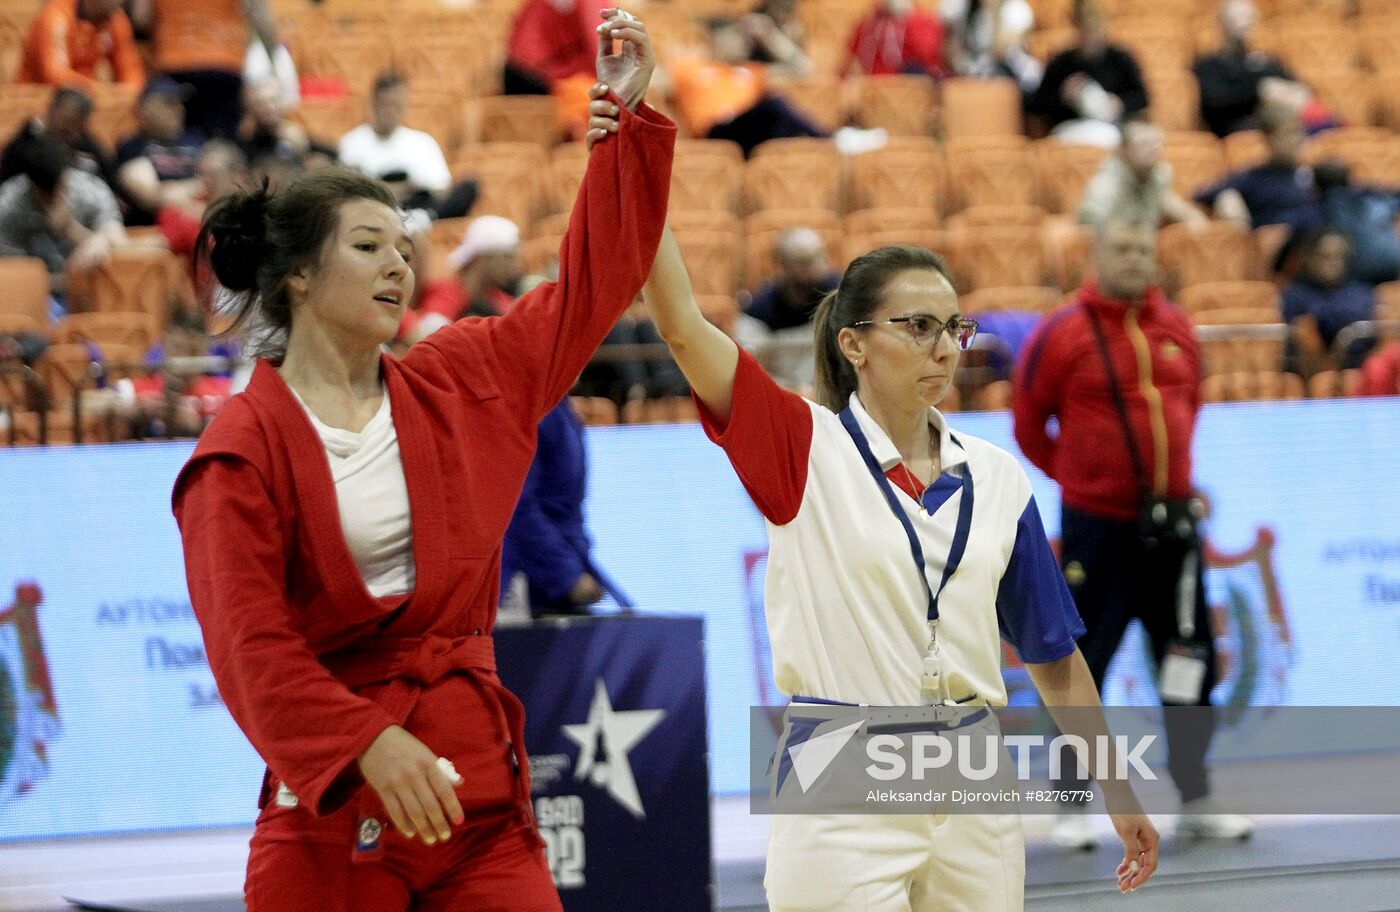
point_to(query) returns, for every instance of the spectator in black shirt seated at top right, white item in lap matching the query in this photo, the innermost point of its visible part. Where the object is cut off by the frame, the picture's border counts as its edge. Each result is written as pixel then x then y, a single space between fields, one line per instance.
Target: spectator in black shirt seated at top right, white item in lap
pixel 1091 88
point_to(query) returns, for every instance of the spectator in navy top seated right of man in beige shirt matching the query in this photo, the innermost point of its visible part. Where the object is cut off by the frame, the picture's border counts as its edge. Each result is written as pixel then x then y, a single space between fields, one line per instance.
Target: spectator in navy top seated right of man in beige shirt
pixel 1280 191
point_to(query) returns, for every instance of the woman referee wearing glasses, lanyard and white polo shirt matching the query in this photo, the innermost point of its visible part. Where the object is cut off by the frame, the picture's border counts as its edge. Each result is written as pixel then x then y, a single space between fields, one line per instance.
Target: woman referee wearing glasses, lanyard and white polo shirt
pixel 853 488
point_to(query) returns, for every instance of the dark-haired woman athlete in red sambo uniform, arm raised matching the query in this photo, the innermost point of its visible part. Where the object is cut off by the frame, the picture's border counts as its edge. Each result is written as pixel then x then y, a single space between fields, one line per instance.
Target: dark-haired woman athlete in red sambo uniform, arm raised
pixel 342 523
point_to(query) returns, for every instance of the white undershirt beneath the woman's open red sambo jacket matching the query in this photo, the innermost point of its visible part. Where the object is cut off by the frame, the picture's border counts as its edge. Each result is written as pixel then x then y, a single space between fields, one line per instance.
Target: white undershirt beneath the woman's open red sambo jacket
pixel 373 498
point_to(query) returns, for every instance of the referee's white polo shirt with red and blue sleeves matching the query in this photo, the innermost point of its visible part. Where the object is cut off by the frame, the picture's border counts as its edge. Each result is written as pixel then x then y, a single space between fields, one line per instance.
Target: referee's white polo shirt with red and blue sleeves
pixel 846 612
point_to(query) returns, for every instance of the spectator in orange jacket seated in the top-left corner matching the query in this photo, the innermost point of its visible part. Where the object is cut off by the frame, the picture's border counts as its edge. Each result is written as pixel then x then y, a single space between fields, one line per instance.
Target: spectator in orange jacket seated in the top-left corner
pixel 69 39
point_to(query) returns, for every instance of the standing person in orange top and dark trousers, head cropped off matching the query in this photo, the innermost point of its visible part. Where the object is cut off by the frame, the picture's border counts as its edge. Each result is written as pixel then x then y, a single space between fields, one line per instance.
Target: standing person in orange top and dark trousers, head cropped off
pixel 204 44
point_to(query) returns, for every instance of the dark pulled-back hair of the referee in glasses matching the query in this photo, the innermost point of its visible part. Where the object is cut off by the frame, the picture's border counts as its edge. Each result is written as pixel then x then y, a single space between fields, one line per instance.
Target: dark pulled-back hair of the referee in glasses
pixel 856 299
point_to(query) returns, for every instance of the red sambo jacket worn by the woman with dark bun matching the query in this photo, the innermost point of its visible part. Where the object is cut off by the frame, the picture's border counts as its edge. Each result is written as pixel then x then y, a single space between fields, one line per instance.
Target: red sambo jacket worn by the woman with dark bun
pixel 310 665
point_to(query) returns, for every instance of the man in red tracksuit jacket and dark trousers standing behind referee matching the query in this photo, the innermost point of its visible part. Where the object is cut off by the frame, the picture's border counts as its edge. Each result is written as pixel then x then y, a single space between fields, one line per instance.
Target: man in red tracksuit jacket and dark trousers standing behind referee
pixel 1116 571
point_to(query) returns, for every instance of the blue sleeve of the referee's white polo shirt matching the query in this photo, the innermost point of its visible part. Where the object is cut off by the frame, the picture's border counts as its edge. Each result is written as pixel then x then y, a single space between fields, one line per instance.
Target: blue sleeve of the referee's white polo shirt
pixel 1035 610
